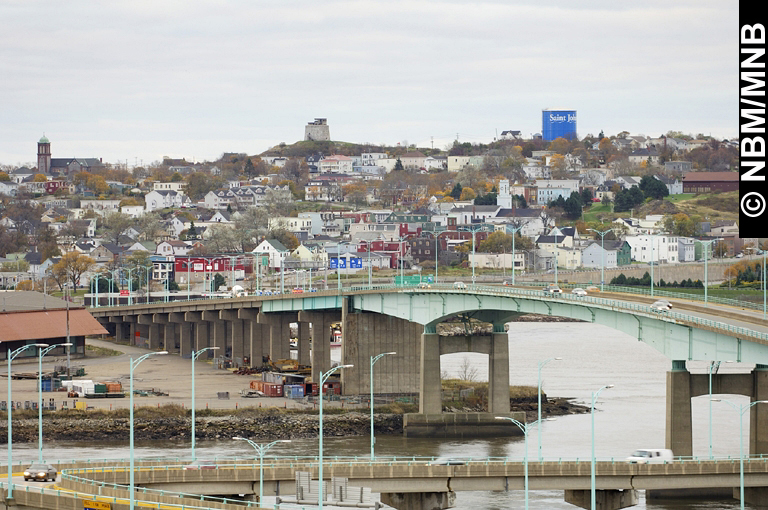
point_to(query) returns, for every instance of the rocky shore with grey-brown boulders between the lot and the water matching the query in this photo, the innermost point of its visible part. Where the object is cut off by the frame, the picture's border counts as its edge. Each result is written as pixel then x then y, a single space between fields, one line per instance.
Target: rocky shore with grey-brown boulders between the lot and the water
pixel 259 424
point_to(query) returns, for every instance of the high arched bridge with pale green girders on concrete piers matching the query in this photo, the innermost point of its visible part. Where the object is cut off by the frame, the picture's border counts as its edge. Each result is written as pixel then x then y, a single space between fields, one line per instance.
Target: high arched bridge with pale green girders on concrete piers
pixel 405 320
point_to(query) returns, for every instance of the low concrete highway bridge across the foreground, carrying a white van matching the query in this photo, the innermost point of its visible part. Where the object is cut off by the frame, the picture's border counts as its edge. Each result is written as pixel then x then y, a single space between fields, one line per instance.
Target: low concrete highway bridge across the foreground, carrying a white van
pixel 406 484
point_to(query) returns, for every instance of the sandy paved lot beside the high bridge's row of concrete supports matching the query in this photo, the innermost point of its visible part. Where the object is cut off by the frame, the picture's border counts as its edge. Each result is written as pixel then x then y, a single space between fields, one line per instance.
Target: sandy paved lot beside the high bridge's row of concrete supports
pixel 170 374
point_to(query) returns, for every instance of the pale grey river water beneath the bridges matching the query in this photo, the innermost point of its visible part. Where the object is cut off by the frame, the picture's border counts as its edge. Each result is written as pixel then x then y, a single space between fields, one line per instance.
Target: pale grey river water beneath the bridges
pixel 630 415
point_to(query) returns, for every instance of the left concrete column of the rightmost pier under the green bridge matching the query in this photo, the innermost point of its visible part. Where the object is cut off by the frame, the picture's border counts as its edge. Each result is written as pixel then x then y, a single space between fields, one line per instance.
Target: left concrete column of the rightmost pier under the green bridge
pixel 679 428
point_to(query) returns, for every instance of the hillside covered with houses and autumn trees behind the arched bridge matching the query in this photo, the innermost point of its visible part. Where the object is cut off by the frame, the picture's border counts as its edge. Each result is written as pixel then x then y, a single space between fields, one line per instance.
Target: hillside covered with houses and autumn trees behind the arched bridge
pixel 316 207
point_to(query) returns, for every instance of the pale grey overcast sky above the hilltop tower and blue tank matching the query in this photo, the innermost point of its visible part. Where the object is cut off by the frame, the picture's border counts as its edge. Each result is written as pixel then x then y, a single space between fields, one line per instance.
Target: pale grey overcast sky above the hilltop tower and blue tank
pixel 138 80
